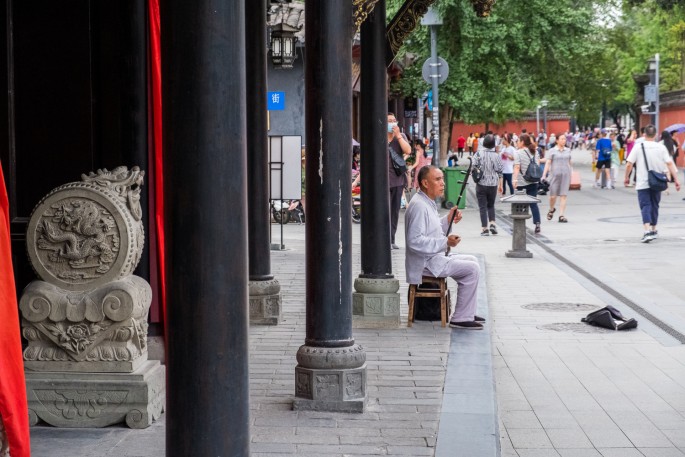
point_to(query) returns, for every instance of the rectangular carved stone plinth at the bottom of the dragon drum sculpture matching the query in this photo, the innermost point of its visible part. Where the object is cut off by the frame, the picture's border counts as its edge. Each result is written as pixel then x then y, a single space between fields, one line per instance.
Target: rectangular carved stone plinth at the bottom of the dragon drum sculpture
pixel 80 400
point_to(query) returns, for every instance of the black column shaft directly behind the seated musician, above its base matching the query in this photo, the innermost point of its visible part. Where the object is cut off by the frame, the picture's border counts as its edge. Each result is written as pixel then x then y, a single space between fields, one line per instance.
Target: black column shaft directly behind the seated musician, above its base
pixel 376 258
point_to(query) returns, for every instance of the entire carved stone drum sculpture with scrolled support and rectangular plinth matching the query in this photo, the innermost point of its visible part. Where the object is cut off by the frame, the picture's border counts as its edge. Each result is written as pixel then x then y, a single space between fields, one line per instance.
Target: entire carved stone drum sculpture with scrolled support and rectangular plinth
pixel 85 320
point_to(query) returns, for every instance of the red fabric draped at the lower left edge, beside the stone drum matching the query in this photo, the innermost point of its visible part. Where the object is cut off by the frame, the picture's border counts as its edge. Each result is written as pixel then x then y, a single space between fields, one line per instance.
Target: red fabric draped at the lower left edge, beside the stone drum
pixel 13 406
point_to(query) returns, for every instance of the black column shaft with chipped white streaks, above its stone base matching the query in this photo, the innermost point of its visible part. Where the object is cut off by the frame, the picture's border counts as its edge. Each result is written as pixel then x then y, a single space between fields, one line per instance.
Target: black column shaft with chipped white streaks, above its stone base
pixel 328 132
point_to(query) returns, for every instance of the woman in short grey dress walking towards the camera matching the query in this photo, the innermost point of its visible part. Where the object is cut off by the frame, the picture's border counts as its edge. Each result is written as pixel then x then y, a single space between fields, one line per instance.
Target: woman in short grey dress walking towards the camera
pixel 557 172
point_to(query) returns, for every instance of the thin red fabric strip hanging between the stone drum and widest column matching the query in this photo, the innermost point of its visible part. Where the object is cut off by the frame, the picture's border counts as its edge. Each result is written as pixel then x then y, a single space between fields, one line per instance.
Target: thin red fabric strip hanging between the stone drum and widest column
pixel 158 172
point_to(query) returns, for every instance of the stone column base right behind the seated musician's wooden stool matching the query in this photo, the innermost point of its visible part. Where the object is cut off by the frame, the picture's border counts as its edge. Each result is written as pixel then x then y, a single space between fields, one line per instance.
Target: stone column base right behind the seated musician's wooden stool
pixel 376 303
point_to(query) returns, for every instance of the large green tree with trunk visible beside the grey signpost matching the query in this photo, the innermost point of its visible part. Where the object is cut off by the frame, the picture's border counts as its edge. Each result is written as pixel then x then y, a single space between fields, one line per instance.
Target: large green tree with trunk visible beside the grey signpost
pixel 503 65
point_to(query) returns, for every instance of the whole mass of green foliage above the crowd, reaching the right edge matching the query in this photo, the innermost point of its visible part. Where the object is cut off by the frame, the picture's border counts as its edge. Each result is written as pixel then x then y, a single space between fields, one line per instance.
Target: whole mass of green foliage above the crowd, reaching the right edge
pixel 566 51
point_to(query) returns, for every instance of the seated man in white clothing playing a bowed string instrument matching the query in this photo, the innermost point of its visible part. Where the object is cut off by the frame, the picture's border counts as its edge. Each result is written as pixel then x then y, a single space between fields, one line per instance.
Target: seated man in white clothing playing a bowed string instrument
pixel 427 245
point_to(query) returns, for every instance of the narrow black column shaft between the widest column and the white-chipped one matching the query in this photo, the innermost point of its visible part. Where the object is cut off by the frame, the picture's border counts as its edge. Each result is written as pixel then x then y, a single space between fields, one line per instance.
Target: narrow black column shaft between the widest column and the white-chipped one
pixel 257 145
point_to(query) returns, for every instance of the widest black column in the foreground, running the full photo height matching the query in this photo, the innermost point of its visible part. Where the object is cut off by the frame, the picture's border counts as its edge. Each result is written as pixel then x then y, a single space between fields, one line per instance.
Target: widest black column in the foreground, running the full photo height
pixel 203 57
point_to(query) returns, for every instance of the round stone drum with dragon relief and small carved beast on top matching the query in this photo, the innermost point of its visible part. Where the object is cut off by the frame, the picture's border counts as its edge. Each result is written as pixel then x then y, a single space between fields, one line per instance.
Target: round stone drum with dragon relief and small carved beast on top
pixel 85 234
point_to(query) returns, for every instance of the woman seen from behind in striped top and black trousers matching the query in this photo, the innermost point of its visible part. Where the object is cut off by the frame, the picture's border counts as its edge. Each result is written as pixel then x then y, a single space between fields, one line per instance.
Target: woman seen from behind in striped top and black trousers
pixel 488 181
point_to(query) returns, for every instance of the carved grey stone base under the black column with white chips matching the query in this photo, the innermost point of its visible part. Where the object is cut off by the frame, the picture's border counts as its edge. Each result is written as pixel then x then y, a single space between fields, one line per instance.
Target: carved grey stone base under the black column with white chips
pixel 330 379
